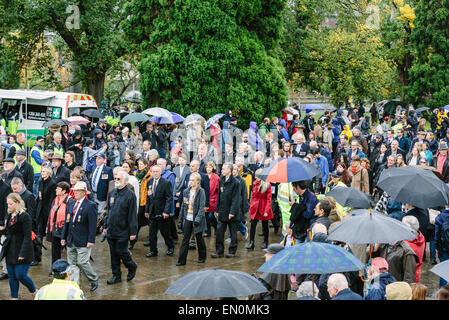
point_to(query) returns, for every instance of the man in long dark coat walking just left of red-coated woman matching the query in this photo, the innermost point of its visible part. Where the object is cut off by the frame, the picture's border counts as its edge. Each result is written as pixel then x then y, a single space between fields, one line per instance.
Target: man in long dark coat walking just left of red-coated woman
pixel 228 208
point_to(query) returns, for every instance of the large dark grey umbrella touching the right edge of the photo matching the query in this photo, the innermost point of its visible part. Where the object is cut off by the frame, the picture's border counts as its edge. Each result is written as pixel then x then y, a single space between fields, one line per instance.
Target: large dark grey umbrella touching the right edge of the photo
pixel 420 188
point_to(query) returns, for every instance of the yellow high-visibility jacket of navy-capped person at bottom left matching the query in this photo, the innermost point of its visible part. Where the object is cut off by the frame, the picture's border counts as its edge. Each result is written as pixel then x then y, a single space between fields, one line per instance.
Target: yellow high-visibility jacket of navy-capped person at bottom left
pixel 60 290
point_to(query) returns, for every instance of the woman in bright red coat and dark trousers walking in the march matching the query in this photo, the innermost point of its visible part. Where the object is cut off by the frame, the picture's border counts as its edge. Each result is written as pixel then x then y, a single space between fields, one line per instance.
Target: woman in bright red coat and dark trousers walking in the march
pixel 260 209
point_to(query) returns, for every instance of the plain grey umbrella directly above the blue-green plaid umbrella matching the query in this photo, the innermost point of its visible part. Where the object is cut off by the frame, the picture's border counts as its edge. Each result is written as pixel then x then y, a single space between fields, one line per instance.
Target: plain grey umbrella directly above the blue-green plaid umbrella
pixel 365 227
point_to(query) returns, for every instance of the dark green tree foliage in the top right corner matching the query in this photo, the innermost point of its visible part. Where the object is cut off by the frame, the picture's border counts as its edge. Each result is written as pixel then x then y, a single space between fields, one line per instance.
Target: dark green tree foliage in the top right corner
pixel 429 80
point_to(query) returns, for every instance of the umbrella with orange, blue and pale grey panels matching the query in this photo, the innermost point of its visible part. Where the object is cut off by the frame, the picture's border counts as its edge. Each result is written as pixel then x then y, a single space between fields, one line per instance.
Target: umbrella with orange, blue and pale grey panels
pixel 288 170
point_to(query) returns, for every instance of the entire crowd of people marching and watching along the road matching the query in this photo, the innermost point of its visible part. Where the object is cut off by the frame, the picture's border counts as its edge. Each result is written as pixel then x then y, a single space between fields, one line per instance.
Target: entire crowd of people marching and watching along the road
pixel 197 180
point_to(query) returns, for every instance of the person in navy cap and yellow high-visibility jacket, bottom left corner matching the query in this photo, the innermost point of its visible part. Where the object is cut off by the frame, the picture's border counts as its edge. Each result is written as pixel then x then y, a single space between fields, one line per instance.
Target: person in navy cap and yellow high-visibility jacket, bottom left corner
pixel 61 288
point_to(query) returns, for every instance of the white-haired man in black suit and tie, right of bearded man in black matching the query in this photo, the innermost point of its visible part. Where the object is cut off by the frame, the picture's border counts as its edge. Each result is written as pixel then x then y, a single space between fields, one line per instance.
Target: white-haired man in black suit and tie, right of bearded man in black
pixel 158 208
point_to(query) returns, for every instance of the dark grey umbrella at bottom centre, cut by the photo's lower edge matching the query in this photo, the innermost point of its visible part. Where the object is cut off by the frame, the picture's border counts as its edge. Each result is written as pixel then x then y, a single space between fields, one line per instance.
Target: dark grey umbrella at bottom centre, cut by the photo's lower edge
pixel 216 284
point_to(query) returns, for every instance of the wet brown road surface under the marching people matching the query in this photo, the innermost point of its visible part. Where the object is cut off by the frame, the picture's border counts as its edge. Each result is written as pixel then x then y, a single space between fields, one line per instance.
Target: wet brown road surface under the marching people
pixel 155 274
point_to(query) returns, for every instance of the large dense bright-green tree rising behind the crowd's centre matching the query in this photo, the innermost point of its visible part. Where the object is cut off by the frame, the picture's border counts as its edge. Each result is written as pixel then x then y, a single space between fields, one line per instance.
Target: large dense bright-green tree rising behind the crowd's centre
pixel 208 56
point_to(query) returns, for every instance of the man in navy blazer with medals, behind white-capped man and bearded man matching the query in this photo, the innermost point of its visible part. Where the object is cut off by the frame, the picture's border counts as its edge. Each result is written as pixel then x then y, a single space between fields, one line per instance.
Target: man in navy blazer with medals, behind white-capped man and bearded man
pixel 101 177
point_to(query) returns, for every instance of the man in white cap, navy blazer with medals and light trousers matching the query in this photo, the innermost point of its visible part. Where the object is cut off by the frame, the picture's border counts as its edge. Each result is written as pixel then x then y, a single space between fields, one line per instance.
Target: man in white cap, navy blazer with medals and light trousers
pixel 79 233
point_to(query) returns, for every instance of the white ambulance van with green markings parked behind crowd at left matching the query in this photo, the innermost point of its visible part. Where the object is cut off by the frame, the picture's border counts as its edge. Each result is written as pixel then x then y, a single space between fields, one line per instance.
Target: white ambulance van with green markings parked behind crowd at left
pixel 36 106
